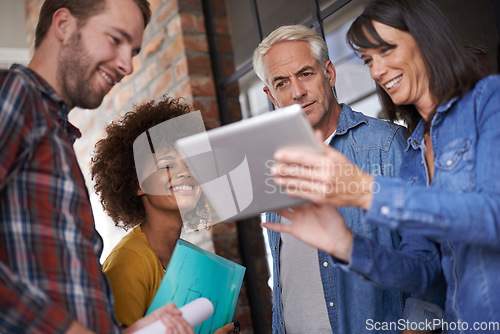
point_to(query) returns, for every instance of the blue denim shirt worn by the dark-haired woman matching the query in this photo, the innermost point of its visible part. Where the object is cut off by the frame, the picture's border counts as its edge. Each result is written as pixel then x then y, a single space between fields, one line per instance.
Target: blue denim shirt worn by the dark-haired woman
pixel 460 208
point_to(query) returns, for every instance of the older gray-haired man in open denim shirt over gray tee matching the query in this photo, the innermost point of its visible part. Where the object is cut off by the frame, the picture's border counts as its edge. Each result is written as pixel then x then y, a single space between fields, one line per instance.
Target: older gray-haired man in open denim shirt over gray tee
pixel 312 292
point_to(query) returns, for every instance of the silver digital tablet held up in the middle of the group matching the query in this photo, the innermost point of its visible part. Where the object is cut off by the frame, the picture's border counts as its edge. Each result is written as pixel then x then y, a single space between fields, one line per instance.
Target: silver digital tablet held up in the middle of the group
pixel 232 163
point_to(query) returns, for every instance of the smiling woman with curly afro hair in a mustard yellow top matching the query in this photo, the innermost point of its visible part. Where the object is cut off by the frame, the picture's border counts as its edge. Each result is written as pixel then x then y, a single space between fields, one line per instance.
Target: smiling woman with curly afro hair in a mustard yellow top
pixel 151 206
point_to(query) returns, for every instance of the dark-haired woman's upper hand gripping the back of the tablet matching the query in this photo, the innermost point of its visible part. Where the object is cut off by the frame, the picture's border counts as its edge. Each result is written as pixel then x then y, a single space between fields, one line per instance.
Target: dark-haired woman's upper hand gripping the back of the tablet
pixel 327 177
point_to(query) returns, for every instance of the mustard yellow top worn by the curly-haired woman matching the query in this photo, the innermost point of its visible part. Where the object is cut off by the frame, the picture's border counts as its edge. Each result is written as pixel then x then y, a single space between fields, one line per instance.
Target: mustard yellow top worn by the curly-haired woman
pixel 134 272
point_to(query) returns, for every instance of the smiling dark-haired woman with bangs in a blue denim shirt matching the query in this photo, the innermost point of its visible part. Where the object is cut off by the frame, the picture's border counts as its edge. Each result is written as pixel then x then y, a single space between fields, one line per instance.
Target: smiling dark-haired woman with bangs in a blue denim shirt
pixel 450 186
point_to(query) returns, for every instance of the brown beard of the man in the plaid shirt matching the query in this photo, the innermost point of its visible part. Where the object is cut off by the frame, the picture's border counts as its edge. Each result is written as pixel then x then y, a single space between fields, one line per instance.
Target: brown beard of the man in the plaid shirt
pixel 75 64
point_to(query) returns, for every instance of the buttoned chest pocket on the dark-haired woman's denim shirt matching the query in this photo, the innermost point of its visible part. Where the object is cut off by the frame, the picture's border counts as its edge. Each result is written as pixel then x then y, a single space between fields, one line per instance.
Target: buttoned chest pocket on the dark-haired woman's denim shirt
pixel 454 167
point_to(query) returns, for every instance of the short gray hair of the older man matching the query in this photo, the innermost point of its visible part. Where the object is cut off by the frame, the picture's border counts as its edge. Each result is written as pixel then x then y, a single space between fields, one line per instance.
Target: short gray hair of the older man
pixel 289 33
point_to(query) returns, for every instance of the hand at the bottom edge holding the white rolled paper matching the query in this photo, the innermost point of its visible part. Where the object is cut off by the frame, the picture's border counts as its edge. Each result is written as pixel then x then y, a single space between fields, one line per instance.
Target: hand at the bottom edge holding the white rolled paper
pixel 171 318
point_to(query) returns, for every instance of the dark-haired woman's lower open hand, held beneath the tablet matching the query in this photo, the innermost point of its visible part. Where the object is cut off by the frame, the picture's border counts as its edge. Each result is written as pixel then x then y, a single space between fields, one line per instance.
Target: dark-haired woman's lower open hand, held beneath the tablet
pixel 319 225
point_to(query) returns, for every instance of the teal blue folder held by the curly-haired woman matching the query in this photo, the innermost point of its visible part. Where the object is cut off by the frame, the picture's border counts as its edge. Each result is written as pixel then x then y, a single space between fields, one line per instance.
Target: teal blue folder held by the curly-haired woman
pixel 193 273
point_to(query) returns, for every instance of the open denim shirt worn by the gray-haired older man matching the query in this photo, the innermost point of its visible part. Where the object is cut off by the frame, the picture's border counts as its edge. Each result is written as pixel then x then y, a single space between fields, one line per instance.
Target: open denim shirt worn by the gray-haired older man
pixel 377 147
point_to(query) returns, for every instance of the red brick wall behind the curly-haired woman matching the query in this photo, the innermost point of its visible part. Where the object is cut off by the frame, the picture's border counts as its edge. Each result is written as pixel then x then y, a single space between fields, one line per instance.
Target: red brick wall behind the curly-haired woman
pixel 175 60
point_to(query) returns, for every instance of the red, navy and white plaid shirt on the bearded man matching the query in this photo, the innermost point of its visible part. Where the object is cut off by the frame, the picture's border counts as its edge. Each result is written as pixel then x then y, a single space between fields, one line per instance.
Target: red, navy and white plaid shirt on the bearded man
pixel 49 248
